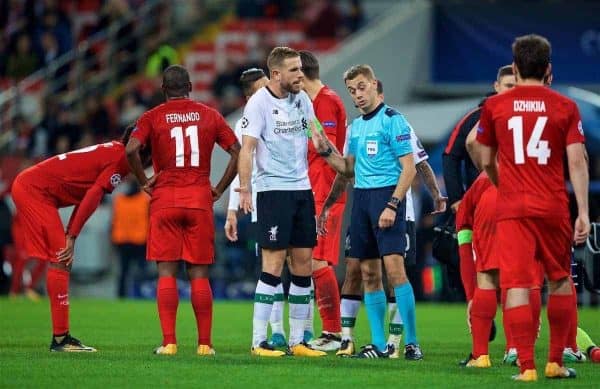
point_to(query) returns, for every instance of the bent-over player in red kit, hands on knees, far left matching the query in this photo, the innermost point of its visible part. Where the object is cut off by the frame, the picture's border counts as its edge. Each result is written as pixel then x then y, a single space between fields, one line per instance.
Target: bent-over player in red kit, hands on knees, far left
pixel 79 178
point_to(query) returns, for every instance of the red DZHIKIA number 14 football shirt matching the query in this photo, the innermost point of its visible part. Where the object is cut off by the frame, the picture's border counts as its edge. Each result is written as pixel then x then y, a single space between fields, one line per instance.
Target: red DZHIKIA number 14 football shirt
pixel 531 126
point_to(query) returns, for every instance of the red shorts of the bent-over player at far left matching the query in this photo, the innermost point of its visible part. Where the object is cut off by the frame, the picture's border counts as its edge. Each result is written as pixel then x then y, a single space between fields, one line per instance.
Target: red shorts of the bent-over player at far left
pixel 42 232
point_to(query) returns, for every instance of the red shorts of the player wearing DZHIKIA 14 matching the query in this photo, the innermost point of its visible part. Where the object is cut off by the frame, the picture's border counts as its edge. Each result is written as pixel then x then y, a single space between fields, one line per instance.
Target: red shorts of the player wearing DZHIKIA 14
pixel 525 245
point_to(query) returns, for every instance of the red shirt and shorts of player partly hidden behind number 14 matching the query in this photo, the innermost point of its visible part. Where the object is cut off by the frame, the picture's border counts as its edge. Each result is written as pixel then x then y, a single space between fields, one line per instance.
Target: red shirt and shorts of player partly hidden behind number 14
pixel 477 211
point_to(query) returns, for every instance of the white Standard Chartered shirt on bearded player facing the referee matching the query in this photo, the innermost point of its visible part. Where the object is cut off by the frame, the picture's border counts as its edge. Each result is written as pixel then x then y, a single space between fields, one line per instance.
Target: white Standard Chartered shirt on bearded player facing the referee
pixel 280 126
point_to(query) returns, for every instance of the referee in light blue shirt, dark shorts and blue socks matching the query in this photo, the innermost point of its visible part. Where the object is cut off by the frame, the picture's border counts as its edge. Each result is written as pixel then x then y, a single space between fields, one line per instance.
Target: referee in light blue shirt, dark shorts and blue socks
pixel 379 157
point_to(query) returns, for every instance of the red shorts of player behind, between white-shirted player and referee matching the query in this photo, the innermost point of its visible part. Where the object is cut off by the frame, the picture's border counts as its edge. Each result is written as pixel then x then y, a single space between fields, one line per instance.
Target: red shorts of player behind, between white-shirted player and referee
pixel 328 246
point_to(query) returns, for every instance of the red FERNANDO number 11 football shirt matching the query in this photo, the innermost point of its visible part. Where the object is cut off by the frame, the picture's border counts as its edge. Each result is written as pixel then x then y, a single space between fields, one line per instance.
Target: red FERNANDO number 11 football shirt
pixel 182 134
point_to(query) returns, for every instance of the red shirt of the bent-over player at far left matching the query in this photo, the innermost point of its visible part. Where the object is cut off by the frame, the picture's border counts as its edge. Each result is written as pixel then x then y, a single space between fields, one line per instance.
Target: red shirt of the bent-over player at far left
pixel 67 177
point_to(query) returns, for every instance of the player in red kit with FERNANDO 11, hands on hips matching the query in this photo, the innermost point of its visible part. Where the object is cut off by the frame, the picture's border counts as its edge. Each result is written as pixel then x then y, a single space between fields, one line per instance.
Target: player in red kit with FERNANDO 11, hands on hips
pixel 182 134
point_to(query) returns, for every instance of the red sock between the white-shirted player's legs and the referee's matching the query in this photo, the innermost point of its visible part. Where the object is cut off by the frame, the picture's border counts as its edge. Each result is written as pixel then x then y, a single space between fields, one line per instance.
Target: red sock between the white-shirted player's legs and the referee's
pixel 327 295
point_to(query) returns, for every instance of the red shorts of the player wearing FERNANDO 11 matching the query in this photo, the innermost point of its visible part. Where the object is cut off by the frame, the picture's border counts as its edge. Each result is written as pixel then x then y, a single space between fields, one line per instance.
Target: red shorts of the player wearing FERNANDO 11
pixel 181 234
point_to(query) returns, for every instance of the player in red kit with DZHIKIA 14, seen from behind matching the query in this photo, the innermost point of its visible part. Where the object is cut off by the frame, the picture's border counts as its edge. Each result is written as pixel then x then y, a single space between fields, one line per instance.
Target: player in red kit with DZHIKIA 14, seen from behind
pixel 530 129
